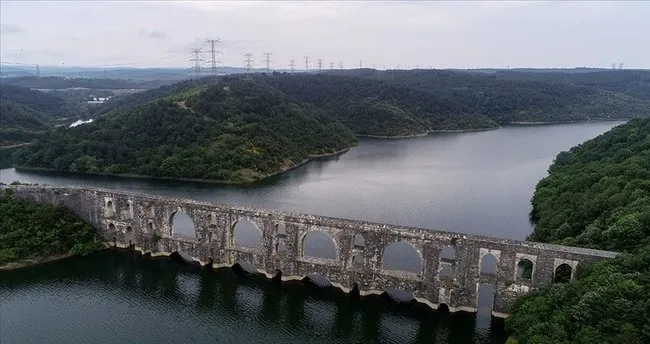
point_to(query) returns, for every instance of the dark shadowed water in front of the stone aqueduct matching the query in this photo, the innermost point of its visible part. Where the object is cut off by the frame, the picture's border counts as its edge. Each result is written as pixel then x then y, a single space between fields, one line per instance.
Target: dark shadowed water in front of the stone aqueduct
pixel 157 300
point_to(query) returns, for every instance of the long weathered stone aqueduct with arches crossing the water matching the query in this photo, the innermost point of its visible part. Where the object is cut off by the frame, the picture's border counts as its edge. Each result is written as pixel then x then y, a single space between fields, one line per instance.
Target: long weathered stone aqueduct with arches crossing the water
pixel 145 223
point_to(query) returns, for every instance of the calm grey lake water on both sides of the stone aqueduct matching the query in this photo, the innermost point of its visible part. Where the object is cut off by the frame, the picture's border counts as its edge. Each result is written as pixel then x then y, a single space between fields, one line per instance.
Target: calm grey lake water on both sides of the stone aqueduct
pixel 478 183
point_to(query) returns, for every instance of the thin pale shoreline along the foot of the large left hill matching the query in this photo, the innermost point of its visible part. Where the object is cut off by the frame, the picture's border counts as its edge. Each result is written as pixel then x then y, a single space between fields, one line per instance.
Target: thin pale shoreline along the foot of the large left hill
pixel 194 180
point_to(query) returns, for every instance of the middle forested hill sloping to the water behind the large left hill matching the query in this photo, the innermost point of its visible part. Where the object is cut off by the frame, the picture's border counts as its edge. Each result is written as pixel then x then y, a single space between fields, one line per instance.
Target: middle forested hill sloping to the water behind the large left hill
pixel 371 107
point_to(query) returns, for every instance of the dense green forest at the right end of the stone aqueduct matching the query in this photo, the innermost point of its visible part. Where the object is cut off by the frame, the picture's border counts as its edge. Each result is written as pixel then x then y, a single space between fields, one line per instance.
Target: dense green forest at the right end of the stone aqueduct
pixel 597 195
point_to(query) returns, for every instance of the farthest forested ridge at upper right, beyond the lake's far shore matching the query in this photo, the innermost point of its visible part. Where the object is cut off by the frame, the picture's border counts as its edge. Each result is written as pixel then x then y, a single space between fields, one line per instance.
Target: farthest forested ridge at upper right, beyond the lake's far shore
pixel 515 100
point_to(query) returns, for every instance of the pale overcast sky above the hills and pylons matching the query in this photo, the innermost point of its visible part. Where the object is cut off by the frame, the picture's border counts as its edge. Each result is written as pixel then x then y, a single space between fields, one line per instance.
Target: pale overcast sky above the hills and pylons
pixel 381 34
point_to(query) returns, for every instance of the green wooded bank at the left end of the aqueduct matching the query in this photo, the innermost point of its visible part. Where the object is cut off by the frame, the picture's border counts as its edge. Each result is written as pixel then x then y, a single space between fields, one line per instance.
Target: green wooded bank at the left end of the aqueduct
pixel 31 232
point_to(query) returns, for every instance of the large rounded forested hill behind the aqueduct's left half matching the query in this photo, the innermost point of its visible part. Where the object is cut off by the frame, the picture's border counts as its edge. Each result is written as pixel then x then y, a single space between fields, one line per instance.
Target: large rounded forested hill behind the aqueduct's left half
pixel 235 130
